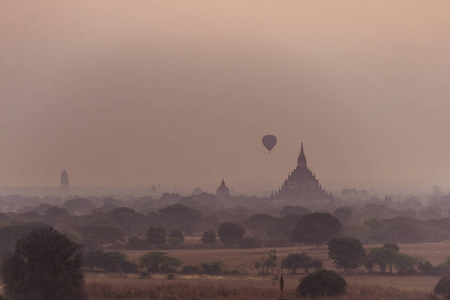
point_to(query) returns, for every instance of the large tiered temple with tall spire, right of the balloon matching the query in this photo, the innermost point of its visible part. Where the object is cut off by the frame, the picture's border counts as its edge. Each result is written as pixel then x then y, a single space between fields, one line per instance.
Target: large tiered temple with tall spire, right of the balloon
pixel 302 184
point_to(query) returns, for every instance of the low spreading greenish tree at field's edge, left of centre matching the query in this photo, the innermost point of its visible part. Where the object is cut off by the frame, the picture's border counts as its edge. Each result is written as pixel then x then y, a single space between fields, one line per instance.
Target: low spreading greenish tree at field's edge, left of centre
pixel 159 262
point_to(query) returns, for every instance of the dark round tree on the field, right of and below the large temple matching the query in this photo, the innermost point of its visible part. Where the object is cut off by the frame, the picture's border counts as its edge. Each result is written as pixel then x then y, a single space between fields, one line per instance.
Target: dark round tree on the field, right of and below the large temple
pixel 348 253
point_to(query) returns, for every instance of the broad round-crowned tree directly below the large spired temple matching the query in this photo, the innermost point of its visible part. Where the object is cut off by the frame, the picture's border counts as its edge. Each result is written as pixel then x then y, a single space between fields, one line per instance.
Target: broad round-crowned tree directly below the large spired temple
pixel 316 228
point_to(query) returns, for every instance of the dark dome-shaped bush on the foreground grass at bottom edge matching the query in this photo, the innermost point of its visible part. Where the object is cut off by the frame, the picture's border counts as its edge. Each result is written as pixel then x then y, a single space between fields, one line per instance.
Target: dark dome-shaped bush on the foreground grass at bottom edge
pixel 322 283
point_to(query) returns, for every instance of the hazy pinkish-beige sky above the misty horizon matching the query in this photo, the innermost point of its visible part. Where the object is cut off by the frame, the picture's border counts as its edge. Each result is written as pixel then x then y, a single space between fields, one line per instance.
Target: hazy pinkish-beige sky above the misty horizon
pixel 131 93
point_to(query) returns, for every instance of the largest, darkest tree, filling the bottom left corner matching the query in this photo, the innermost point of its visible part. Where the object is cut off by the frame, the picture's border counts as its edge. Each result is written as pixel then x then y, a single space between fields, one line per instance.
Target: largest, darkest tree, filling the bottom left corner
pixel 45 265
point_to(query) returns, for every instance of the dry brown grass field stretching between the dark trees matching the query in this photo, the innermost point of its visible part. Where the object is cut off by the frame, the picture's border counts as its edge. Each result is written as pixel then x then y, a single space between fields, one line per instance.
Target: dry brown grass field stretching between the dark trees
pixel 250 286
